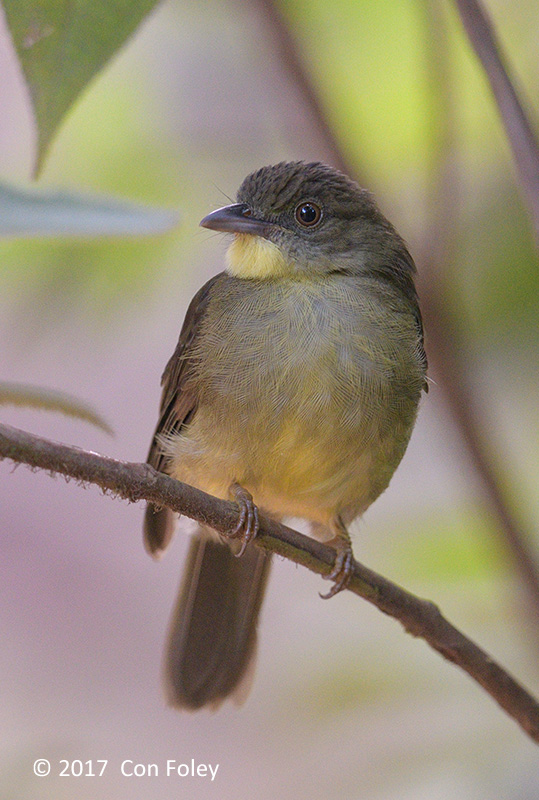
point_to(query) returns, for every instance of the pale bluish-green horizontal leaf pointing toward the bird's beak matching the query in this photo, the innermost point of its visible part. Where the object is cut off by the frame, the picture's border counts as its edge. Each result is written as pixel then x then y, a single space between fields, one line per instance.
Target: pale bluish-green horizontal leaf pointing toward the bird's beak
pixel 31 212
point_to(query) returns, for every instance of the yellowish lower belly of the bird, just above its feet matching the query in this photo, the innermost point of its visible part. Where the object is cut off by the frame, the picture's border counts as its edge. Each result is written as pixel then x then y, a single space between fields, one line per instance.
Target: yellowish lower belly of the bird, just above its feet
pixel 297 455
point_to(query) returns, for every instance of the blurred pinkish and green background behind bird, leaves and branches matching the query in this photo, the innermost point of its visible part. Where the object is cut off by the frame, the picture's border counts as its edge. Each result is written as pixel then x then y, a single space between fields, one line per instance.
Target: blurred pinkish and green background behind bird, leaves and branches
pixel 344 704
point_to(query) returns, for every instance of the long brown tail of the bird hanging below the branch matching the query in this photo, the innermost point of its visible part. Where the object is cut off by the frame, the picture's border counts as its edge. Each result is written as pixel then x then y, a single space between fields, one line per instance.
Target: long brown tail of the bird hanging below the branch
pixel 212 639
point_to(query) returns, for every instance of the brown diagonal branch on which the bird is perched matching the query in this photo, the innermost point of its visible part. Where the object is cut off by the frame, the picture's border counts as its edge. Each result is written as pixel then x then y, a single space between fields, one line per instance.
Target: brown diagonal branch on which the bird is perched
pixel 421 618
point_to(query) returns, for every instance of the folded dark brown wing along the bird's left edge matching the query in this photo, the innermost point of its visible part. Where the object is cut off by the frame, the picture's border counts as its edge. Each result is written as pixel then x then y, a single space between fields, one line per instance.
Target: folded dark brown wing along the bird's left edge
pixel 178 404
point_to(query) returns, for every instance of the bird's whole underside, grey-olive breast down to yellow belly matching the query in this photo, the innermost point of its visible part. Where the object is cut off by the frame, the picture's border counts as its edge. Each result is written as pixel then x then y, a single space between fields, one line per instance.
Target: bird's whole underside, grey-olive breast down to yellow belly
pixel 297 387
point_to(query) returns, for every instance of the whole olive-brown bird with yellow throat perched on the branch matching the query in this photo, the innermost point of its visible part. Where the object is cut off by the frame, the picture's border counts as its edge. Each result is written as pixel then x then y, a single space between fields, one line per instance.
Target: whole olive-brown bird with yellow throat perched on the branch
pixel 293 389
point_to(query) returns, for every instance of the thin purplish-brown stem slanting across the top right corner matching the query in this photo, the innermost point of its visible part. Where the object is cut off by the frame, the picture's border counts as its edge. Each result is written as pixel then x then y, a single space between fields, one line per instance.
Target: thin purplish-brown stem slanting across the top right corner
pixel 519 130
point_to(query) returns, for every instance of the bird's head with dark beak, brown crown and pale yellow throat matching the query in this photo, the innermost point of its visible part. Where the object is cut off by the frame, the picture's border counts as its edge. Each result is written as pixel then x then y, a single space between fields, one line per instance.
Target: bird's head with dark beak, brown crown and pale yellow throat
pixel 299 219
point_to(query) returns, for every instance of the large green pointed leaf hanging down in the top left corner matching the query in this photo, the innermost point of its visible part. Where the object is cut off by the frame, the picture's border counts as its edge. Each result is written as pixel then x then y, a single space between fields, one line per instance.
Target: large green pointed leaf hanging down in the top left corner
pixel 62 44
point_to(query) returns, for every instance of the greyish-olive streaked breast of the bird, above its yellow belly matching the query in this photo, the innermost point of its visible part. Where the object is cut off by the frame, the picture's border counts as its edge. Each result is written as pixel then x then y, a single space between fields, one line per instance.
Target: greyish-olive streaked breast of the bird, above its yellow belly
pixel 277 348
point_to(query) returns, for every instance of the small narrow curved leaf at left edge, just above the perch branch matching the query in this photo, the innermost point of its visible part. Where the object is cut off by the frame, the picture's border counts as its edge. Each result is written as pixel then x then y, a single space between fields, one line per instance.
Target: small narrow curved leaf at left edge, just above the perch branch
pixel 17 394
